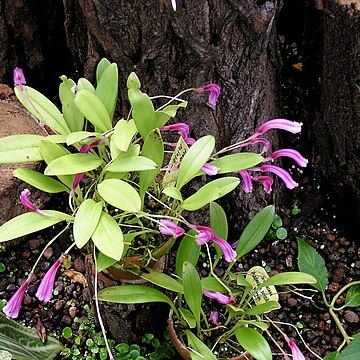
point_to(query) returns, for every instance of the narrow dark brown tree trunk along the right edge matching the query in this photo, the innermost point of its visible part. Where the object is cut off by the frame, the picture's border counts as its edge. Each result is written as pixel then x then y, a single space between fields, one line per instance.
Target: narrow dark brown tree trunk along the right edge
pixel 337 129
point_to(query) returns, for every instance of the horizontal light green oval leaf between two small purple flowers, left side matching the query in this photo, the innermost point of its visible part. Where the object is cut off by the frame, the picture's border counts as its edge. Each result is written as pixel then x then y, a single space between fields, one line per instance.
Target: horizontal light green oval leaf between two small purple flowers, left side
pixel 73 164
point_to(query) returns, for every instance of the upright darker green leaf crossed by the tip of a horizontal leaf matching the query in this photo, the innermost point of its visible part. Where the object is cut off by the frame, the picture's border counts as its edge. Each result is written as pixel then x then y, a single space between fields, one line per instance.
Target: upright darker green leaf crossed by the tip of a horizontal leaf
pixel 153 149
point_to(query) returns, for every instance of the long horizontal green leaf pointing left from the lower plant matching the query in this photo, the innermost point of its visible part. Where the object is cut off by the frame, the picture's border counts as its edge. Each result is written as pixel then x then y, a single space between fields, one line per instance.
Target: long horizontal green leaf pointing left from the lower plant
pixel 133 294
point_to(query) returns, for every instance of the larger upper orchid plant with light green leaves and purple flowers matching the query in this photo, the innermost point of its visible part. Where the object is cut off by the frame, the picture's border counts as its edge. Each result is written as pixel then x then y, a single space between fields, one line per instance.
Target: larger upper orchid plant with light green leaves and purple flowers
pixel 125 177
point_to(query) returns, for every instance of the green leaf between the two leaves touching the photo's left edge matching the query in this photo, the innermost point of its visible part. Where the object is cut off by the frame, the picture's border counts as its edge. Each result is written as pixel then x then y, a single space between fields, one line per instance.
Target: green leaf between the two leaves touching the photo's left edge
pixel 40 181
